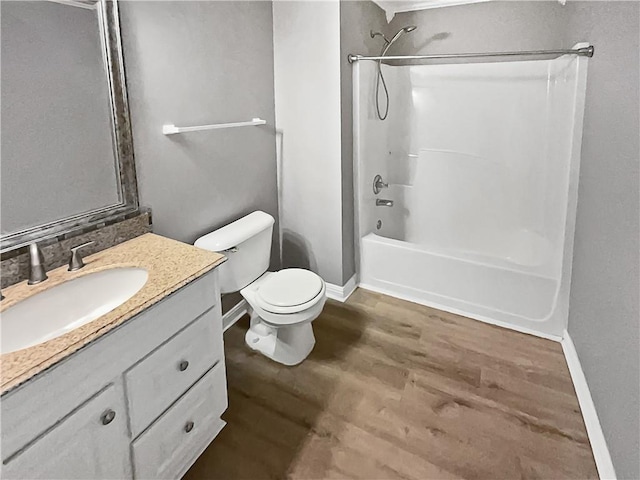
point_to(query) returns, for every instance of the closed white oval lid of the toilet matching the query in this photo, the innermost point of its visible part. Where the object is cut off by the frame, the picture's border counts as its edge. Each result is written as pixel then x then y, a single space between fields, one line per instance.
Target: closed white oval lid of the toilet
pixel 290 287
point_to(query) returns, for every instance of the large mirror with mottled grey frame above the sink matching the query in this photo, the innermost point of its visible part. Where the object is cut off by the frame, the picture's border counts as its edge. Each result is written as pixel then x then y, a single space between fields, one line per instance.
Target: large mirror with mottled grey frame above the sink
pixel 67 158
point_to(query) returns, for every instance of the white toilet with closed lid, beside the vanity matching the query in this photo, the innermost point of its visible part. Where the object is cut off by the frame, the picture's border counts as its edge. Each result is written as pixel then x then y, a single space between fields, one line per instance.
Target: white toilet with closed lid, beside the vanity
pixel 282 304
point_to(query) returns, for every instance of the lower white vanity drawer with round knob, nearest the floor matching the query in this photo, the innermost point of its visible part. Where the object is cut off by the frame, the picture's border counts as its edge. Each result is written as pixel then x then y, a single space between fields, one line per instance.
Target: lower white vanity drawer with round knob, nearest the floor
pixel 180 435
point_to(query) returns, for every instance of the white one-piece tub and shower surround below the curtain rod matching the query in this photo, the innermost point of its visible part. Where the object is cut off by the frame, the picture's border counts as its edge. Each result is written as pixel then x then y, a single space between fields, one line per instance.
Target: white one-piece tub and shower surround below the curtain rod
pixel 482 164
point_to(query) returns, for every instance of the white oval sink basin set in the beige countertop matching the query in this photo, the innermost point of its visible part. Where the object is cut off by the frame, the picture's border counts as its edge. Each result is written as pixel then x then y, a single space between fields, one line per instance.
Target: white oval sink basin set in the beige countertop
pixel 66 306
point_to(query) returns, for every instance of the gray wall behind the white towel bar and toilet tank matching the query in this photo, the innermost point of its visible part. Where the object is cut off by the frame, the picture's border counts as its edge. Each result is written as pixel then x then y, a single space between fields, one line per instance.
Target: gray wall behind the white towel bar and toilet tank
pixel 195 63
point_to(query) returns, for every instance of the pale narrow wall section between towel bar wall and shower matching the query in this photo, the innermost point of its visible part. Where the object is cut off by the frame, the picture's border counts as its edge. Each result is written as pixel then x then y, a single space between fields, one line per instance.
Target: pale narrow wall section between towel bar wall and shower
pixel 306 38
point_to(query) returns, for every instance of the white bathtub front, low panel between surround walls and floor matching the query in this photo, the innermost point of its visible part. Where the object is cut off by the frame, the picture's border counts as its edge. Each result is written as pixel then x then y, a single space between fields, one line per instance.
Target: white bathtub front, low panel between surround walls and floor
pixel 504 296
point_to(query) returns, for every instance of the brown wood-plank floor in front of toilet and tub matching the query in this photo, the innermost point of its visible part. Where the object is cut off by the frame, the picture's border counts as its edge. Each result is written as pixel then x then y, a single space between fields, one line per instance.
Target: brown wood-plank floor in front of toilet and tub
pixel 397 390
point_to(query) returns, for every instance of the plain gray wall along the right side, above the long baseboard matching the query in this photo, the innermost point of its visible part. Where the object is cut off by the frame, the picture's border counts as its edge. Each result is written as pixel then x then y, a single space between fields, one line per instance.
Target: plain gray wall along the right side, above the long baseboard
pixel 604 313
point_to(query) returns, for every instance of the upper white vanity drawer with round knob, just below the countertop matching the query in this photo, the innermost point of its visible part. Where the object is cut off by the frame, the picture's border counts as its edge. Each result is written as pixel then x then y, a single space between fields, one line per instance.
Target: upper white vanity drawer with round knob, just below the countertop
pixel 158 380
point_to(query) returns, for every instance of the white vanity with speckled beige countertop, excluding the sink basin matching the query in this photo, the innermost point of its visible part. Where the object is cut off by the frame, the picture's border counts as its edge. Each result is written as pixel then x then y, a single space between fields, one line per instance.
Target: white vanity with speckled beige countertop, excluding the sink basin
pixel 136 393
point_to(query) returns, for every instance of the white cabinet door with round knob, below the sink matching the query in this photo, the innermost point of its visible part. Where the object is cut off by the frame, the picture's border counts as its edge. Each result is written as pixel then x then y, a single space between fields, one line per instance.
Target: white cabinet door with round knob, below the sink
pixel 91 443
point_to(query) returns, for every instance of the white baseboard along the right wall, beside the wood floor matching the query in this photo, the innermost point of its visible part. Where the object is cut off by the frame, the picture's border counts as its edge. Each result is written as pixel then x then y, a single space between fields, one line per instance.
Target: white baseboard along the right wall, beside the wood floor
pixel 589 414
